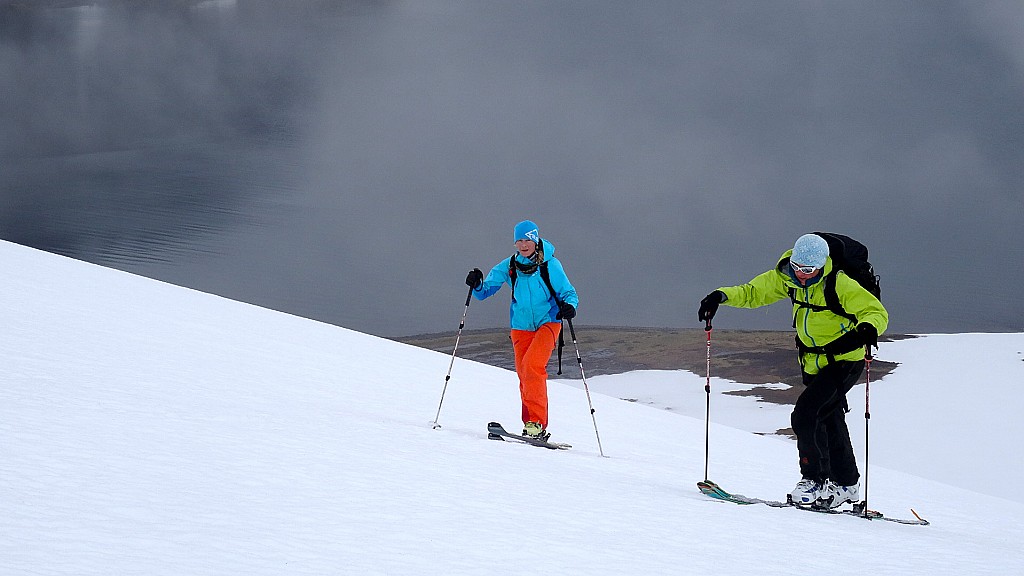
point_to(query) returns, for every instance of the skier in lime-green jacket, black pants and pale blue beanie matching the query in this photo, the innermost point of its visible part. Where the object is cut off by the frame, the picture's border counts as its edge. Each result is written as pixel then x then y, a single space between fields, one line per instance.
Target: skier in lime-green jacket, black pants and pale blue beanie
pixel 832 359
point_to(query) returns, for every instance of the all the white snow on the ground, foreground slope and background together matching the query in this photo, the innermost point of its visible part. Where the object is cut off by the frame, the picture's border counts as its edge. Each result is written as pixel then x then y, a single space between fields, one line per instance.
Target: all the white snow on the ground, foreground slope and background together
pixel 149 429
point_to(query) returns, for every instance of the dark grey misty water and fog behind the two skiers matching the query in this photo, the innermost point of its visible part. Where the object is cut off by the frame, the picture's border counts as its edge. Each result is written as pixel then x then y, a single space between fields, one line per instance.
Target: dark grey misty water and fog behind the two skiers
pixel 352 161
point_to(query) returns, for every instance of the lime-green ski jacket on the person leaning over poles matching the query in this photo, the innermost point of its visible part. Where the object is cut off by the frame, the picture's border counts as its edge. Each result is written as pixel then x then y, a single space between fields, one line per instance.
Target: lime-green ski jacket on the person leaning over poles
pixel 814 328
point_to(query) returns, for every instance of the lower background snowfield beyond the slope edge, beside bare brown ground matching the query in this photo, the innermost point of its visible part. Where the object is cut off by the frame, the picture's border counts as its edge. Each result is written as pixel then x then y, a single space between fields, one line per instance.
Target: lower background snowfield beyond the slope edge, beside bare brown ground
pixel 951 412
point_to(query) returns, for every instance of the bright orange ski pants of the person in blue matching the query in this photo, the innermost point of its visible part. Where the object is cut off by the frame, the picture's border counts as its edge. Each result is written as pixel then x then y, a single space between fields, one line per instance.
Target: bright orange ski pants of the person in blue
pixel 533 351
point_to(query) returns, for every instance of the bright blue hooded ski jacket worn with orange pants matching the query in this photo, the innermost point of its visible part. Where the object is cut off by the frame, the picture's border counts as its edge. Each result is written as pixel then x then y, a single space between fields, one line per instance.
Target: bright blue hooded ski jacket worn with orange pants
pixel 533 305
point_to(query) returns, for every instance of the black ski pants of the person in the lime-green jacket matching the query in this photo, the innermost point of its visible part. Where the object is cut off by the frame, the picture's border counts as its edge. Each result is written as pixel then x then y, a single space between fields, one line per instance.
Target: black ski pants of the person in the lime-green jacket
pixel 820 423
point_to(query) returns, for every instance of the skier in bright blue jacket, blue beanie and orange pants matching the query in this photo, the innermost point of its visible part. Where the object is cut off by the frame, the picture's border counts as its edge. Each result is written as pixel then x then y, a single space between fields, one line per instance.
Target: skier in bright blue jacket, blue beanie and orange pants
pixel 539 306
